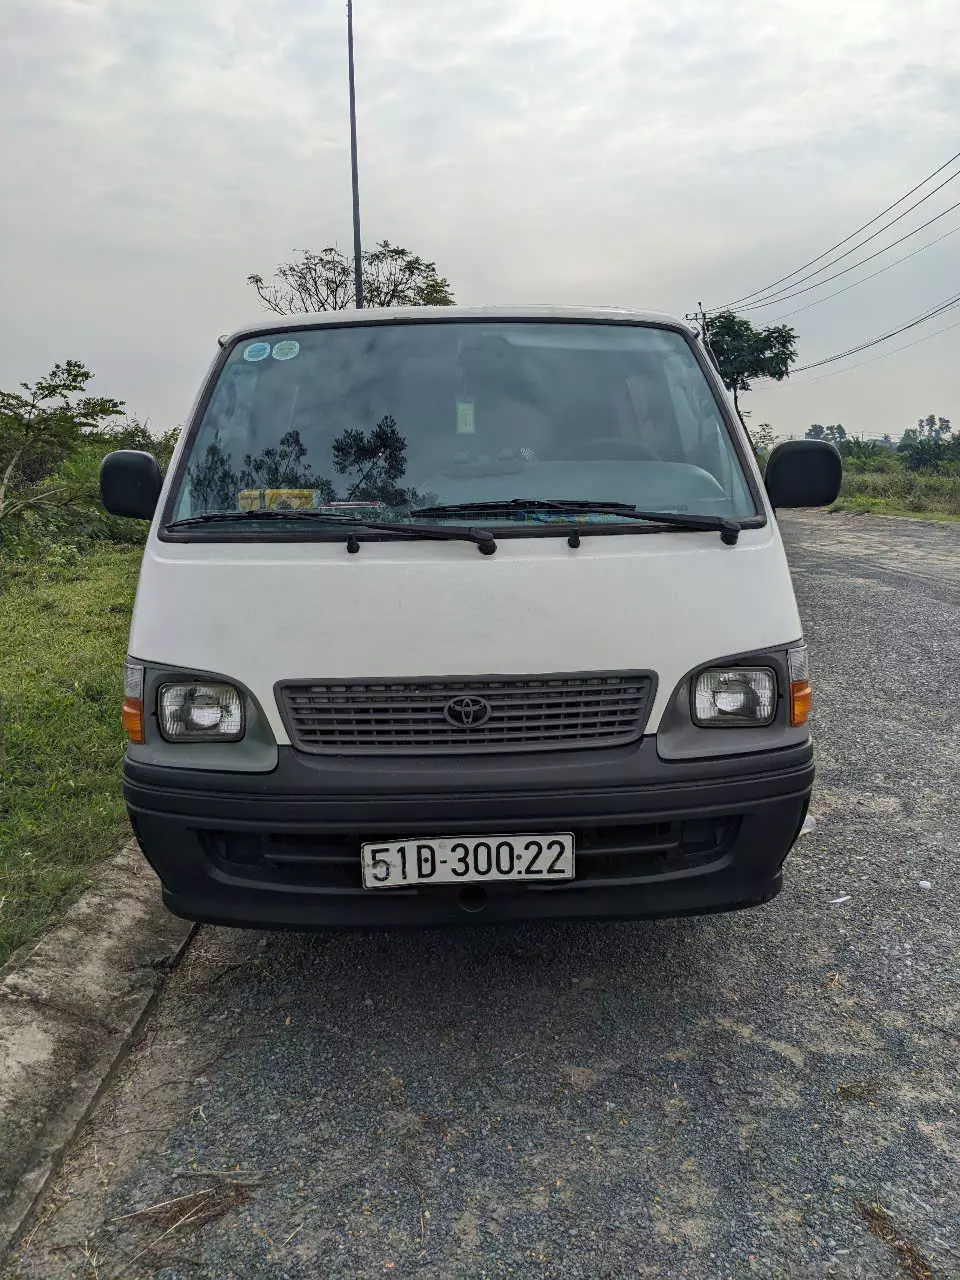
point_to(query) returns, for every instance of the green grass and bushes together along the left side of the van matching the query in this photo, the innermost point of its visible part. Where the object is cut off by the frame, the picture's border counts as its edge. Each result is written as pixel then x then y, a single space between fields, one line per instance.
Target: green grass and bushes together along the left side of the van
pixel 68 574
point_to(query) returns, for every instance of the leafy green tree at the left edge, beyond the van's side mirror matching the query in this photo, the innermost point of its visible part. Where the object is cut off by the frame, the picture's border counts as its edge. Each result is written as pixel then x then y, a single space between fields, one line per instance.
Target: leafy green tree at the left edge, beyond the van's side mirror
pixel 40 428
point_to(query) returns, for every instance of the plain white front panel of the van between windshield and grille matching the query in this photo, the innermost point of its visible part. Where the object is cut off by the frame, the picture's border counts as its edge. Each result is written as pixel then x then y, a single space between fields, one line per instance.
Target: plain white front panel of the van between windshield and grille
pixel 260 612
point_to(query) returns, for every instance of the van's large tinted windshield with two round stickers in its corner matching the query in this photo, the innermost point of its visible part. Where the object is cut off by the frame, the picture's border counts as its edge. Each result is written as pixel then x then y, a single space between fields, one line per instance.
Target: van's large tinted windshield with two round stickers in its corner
pixel 381 420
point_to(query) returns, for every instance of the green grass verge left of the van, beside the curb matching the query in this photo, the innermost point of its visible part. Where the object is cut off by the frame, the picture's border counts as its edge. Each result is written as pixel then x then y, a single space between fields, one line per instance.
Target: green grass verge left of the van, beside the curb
pixel 63 636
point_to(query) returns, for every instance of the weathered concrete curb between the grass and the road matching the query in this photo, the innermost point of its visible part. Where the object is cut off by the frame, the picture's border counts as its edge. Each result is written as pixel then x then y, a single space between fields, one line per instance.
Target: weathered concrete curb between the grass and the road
pixel 71 1007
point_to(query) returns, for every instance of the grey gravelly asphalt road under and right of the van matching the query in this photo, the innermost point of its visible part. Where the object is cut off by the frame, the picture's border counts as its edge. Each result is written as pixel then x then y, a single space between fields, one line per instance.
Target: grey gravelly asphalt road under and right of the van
pixel 772 1094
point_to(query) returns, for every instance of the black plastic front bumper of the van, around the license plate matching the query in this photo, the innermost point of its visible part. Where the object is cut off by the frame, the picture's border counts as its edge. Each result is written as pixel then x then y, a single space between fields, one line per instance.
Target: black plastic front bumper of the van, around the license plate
pixel 282 851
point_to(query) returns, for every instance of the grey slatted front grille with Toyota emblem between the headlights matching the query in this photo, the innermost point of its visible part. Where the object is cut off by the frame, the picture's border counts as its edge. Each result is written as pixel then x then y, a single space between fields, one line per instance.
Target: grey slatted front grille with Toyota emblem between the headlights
pixel 491 714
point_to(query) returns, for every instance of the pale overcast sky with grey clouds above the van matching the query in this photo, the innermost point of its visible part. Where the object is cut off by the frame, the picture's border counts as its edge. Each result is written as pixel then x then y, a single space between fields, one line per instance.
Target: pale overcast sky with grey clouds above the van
pixel 609 153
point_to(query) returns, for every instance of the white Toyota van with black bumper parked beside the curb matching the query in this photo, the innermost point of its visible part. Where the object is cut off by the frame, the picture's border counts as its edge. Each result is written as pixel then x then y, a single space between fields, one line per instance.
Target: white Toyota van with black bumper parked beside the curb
pixel 460 615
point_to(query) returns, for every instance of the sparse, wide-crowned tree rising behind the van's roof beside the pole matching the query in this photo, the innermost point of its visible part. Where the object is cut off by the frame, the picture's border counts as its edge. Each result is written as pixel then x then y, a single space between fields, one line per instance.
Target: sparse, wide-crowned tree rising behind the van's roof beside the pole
pixel 394 277
